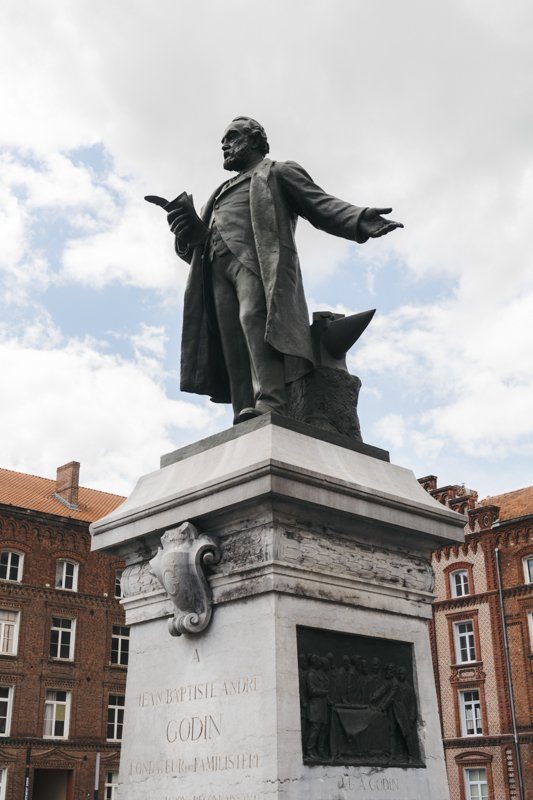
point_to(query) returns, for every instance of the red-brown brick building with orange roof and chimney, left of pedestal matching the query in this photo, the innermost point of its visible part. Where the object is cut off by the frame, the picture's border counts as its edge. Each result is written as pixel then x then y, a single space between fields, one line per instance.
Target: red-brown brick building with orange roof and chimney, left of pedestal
pixel 63 644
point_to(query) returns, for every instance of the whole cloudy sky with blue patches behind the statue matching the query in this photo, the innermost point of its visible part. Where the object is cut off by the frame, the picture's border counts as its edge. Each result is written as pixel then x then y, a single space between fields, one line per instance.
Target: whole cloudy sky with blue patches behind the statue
pixel 425 106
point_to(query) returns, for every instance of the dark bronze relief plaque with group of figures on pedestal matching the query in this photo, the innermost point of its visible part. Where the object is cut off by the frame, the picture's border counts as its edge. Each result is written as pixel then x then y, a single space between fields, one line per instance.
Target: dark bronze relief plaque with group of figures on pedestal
pixel 357 700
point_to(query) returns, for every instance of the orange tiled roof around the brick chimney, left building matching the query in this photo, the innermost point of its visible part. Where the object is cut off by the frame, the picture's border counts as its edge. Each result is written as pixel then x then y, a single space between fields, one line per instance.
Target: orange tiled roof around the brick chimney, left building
pixel 37 494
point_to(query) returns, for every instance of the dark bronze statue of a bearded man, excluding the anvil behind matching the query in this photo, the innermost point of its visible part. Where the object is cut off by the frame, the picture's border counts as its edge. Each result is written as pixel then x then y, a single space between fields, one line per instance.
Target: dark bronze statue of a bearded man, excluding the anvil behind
pixel 245 321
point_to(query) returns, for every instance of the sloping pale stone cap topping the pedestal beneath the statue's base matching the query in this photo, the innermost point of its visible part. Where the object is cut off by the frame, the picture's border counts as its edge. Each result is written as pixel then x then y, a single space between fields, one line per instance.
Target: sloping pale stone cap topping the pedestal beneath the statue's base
pixel 326 482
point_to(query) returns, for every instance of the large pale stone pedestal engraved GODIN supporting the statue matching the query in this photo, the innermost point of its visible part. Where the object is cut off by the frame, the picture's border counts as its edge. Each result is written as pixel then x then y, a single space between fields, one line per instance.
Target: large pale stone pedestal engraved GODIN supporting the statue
pixel 324 552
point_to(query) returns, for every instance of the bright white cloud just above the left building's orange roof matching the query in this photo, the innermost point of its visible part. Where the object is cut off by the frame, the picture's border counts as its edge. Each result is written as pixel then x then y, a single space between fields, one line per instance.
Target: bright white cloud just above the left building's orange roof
pixel 72 401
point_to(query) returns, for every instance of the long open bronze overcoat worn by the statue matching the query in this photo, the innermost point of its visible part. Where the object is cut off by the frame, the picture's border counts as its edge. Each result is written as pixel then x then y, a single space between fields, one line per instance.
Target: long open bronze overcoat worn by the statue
pixel 279 193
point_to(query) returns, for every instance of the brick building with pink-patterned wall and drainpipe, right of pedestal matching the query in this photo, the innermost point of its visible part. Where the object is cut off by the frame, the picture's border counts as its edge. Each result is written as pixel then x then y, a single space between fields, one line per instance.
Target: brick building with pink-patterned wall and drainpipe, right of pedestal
pixel 482 639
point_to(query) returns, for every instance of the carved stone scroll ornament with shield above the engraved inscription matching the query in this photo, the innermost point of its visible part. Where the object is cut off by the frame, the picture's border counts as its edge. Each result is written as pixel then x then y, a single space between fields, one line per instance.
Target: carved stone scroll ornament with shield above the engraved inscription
pixel 179 565
